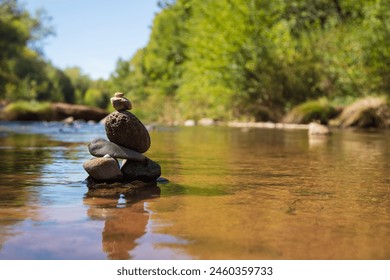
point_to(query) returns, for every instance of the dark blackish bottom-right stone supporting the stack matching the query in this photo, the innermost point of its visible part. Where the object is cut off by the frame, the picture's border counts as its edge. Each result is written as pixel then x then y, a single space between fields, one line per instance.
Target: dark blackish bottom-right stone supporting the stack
pixel 148 171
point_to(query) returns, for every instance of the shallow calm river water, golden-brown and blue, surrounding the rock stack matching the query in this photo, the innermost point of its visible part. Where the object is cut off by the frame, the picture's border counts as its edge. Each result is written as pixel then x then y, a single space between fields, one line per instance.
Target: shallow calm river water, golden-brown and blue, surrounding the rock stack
pixel 233 194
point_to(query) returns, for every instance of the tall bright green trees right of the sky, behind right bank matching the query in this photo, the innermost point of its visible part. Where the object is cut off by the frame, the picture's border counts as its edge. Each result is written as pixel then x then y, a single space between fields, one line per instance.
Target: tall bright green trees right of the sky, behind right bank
pixel 256 59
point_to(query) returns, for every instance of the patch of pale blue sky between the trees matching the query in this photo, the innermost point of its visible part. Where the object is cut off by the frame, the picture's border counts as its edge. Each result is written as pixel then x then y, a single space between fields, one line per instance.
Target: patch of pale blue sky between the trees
pixel 93 34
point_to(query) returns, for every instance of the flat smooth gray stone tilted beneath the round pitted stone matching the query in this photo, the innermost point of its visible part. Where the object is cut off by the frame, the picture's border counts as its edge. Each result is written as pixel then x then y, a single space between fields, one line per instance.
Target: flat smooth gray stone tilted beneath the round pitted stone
pixel 100 147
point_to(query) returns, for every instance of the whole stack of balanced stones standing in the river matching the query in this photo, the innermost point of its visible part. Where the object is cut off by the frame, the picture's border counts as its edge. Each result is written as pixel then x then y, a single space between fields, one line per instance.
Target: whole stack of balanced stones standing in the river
pixel 128 140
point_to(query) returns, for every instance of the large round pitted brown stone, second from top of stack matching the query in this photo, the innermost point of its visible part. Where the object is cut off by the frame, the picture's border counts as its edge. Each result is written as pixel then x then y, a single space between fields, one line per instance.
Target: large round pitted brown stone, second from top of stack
pixel 125 129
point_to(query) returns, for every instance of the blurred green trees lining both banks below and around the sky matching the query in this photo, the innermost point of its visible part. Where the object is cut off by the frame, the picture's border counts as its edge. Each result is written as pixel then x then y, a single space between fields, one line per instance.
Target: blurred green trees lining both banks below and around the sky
pixel 229 59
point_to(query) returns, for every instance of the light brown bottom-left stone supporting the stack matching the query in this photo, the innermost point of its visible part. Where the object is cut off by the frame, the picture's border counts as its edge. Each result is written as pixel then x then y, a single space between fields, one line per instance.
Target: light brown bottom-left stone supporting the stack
pixel 105 168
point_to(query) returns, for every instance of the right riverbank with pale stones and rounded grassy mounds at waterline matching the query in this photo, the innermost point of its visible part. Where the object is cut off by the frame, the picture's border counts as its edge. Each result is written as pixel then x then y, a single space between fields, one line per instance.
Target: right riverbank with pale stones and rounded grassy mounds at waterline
pixel 365 113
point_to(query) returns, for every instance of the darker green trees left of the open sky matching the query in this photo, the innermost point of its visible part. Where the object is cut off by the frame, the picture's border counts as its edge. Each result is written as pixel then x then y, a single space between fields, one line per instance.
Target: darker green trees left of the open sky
pixel 24 73
